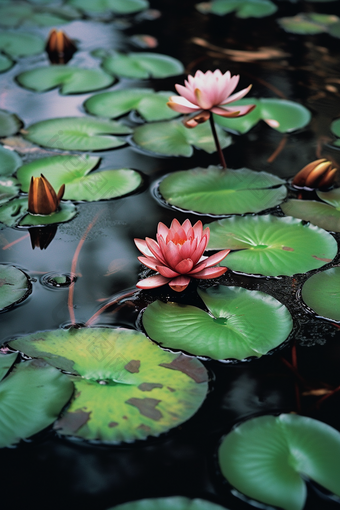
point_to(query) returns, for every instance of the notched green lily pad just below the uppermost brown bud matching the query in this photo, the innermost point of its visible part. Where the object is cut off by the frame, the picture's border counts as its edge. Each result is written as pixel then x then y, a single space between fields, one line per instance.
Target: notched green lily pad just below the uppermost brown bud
pixel 71 80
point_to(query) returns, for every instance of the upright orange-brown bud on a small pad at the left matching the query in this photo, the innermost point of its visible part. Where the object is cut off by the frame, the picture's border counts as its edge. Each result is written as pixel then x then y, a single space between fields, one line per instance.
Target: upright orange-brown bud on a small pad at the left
pixel 42 199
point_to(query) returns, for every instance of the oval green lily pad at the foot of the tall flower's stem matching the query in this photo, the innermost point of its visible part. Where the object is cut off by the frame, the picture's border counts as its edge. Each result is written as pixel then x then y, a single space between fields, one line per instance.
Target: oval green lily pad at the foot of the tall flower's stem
pixel 215 191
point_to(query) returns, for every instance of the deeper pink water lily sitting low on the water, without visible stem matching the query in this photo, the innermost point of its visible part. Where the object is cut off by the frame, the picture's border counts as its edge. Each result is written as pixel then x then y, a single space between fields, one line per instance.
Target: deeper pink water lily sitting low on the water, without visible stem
pixel 177 256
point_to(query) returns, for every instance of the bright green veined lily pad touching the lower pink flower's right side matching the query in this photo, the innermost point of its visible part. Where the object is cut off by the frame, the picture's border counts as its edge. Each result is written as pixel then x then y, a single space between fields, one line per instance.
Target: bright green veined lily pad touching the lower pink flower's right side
pixel 271 246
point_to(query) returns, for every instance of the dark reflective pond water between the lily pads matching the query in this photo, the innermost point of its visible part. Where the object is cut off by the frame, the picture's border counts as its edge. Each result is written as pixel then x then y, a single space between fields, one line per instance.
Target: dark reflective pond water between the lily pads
pixel 52 472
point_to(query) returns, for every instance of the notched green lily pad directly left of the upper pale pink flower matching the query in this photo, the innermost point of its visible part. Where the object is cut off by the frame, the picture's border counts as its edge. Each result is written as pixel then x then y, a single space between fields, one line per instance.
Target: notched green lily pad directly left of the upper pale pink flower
pixel 149 104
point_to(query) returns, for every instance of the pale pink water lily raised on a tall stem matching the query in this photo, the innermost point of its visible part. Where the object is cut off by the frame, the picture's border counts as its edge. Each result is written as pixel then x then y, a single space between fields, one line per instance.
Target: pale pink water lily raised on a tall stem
pixel 207 93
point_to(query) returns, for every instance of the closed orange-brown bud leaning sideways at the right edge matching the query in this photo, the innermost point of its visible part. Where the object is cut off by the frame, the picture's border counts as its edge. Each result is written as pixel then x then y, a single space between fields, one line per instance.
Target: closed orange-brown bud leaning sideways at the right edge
pixel 318 174
